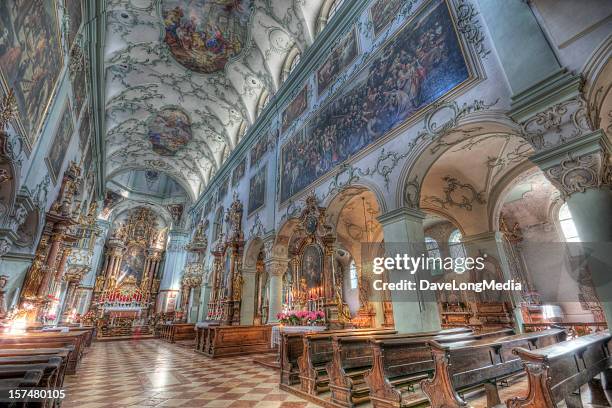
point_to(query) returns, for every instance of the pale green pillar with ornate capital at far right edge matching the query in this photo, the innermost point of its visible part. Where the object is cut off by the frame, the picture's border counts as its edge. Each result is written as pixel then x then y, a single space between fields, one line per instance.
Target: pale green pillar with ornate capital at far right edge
pixel 582 171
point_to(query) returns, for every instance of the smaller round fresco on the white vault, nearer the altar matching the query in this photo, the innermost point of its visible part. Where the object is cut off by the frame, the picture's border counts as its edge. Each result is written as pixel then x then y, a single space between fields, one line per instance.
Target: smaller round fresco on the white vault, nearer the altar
pixel 169 131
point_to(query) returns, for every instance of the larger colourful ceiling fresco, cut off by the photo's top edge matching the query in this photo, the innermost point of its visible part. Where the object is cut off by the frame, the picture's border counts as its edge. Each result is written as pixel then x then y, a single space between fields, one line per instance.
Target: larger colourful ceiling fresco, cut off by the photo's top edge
pixel 203 35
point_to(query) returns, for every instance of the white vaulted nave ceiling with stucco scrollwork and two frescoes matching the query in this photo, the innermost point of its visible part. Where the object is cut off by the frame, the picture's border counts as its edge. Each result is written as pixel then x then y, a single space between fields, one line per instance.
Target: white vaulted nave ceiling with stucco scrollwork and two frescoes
pixel 211 58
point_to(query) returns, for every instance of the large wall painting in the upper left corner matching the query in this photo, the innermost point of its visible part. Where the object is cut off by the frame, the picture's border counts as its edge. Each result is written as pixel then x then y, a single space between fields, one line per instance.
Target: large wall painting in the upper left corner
pixel 30 58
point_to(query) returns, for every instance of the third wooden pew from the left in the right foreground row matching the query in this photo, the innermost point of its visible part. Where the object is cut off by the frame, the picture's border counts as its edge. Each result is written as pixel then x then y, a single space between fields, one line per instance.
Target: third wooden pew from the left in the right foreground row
pixel 352 359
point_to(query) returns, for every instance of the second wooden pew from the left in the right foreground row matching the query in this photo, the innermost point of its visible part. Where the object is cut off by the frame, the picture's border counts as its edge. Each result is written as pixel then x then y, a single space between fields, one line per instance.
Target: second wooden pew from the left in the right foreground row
pixel 317 353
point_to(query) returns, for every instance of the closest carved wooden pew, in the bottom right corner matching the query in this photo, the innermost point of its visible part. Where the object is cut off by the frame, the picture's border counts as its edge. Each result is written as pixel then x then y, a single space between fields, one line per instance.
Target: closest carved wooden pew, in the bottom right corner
pixel 557 371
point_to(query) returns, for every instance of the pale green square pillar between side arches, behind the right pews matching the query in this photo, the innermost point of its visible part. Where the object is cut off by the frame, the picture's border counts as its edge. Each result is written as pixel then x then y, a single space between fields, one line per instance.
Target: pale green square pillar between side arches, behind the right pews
pixel 413 311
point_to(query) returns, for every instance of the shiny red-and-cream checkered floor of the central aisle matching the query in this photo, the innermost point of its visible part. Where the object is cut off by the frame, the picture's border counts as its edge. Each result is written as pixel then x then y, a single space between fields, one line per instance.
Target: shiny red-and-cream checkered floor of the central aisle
pixel 152 373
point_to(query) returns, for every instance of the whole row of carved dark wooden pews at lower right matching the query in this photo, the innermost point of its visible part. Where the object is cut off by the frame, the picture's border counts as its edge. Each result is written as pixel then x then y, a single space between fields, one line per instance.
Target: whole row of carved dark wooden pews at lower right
pixel 388 369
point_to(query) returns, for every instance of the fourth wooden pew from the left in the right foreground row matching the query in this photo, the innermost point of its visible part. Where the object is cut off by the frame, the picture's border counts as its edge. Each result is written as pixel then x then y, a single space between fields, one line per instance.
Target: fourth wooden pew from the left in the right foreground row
pixel 398 364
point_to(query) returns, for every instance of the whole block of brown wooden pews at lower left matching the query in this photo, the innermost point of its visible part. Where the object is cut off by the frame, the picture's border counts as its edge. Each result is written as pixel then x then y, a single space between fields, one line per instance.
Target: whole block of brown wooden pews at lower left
pixel 41 359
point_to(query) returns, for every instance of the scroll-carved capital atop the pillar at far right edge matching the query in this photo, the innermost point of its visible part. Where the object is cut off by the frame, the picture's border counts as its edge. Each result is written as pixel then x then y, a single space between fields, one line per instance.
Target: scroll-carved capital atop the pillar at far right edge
pixel 582 164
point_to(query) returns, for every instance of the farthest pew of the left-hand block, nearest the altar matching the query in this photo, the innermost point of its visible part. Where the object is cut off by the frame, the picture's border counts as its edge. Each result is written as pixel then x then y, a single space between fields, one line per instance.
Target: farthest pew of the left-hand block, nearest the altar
pixel 49 340
